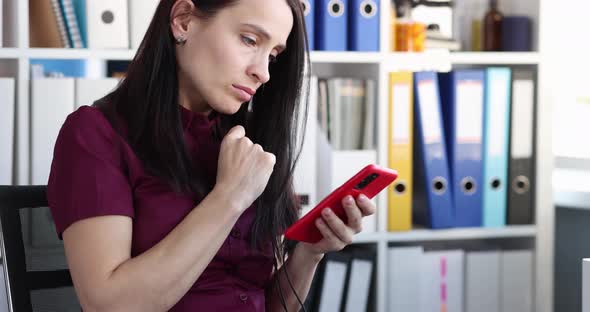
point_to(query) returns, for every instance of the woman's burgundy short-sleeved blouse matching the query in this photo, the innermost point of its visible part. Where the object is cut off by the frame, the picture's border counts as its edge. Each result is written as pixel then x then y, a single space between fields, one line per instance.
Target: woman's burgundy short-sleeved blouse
pixel 95 173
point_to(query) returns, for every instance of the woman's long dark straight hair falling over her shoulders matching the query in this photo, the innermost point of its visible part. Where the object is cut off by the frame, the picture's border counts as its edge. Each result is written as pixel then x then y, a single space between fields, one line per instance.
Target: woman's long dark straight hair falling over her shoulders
pixel 147 103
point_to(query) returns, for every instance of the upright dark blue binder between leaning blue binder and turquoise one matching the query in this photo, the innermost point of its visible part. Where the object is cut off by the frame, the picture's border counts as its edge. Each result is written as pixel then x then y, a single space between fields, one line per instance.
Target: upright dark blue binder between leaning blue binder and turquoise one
pixel 462 94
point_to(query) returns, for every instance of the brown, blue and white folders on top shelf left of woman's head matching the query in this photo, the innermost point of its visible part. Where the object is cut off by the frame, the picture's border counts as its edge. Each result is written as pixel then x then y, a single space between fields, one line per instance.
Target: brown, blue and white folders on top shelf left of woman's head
pixel 91 24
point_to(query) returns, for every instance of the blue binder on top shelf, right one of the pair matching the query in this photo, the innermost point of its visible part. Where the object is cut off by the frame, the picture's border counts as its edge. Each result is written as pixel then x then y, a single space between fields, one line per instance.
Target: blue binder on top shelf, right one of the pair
pixel 363 16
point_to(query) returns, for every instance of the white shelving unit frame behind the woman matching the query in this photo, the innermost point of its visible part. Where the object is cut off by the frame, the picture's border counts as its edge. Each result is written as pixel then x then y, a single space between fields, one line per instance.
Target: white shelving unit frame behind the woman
pixel 16 56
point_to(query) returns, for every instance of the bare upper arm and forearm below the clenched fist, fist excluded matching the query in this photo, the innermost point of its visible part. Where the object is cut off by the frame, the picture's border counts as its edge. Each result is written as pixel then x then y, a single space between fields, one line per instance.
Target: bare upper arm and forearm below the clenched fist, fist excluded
pixel 106 278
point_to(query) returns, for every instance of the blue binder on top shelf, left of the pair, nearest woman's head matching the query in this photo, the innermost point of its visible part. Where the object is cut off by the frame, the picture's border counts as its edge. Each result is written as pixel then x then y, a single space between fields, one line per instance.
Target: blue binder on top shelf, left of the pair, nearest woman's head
pixel 331 25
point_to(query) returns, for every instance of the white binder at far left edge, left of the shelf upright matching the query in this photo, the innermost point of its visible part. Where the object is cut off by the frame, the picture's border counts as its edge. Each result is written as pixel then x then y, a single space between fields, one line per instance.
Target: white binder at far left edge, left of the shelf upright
pixel 7 89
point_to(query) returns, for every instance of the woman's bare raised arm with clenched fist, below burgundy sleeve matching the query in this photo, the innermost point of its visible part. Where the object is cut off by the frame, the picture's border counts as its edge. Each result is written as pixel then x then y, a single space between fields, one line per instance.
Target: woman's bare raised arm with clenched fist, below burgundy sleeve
pixel 98 249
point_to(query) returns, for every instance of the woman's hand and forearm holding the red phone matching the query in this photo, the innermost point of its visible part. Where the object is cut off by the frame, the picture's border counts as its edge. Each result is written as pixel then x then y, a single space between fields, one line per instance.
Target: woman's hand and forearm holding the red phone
pixel 302 264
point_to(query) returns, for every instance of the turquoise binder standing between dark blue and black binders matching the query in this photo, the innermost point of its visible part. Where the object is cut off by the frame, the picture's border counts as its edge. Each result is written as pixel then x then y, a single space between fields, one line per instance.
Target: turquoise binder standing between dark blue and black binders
pixel 495 142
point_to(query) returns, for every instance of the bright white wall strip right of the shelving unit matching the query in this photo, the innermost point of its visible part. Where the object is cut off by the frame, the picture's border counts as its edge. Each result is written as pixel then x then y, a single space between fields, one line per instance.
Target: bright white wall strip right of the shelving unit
pixel 568 60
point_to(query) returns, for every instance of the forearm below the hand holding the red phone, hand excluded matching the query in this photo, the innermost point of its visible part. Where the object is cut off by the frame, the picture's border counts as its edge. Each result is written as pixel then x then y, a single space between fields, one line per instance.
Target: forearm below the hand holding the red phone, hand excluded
pixel 300 267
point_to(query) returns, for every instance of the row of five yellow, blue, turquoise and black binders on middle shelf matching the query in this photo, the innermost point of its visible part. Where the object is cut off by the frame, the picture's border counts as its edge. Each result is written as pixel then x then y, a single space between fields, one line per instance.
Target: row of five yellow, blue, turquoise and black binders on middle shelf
pixel 462 143
